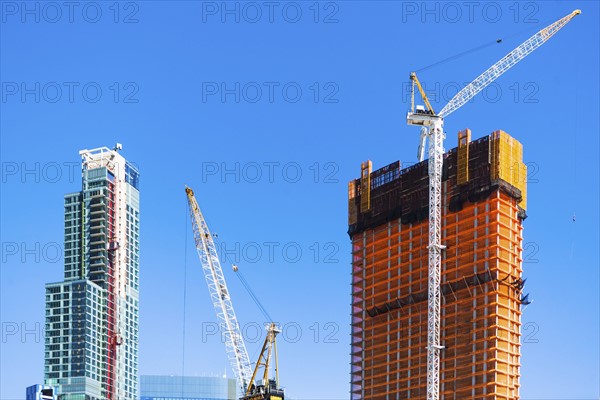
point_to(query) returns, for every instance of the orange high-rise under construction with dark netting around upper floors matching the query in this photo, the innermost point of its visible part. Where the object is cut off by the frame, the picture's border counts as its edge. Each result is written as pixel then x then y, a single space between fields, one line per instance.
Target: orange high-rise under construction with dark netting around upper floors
pixel 483 208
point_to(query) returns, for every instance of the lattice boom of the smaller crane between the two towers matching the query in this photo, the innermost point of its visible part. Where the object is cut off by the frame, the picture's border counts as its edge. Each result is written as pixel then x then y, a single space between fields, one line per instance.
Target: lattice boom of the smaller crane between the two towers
pixel 211 266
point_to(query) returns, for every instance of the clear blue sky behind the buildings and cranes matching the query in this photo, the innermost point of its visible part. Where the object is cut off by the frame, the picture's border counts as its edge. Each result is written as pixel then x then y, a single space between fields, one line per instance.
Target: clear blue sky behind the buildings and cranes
pixel 177 130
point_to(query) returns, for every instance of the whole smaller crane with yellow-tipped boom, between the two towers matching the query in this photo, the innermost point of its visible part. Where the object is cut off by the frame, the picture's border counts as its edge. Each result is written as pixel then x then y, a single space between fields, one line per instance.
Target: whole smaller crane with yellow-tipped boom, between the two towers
pixel 245 375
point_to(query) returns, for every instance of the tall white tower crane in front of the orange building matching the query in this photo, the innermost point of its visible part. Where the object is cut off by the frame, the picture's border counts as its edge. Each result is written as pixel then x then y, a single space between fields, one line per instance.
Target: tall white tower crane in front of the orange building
pixel 432 128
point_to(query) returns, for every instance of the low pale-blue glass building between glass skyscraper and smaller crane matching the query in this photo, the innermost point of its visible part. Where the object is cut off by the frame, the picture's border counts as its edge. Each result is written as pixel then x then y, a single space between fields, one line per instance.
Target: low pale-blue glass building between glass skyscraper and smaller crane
pixel 168 387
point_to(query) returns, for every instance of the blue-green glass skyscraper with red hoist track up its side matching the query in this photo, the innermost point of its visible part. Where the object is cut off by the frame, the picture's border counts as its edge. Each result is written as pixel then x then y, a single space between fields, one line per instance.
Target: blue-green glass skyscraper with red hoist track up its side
pixel 91 348
